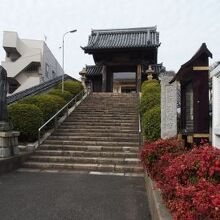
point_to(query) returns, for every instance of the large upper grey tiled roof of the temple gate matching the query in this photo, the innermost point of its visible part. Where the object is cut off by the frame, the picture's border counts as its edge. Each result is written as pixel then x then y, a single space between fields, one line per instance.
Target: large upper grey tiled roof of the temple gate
pixel 123 38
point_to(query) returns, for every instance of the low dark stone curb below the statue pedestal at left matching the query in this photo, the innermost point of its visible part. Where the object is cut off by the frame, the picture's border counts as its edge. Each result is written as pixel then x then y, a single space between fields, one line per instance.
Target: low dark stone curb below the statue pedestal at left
pixel 12 163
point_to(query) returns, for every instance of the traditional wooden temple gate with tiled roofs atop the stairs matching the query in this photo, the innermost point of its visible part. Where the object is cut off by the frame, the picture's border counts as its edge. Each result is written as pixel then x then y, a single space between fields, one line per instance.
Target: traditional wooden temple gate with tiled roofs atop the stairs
pixel 118 53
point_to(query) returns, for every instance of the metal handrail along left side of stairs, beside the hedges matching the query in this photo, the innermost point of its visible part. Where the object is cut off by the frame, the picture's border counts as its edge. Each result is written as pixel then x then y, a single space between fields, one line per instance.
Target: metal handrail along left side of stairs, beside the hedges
pixel 75 99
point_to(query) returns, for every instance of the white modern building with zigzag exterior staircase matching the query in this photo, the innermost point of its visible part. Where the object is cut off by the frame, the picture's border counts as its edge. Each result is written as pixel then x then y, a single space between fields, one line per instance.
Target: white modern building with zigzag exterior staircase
pixel 28 62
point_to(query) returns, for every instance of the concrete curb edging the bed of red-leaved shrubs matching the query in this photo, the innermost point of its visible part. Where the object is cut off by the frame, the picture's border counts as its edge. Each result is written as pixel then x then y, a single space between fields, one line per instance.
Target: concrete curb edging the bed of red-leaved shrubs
pixel 157 207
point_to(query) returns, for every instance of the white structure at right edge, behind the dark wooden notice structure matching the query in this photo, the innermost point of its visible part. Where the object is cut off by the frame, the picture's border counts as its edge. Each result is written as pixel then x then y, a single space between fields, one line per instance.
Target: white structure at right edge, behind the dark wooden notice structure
pixel 215 75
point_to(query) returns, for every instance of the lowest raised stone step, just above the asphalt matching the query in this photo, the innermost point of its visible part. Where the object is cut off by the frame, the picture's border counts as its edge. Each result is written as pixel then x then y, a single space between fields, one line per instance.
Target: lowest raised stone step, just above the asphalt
pixel 87 167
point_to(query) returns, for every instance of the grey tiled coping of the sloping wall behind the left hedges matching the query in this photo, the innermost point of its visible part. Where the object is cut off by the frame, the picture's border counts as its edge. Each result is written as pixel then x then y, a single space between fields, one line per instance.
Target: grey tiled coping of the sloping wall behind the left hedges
pixel 36 89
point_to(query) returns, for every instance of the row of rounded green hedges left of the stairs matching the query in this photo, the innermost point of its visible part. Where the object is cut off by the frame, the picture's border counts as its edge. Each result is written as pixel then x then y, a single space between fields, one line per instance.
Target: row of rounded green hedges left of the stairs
pixel 28 114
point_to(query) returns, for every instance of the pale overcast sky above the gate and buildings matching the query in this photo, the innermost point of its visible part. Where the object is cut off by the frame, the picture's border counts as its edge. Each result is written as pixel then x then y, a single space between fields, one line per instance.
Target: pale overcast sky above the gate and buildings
pixel 183 25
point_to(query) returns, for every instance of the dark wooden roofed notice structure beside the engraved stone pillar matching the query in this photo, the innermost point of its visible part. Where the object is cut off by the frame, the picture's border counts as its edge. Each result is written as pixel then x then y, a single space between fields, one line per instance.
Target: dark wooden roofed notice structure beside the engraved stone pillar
pixel 194 79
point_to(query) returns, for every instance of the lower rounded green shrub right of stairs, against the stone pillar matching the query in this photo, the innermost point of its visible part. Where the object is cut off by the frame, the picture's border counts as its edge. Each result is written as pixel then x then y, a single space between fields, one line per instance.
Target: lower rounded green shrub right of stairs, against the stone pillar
pixel 151 123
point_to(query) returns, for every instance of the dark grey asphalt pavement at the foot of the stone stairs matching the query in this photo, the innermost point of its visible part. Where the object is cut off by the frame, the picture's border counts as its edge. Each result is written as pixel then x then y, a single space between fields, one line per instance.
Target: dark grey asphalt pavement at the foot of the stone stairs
pixel 61 196
